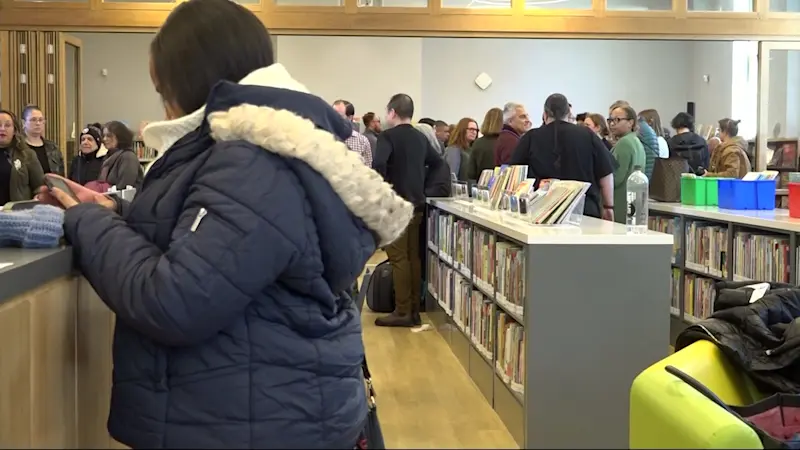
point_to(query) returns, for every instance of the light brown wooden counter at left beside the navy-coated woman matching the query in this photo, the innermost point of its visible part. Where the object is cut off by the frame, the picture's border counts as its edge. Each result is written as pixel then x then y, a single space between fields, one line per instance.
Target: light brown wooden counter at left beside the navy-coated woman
pixel 55 365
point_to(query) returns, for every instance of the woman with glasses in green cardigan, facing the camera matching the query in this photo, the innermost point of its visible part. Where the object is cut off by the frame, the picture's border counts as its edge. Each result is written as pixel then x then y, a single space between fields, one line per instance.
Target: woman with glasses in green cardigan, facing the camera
pixel 628 151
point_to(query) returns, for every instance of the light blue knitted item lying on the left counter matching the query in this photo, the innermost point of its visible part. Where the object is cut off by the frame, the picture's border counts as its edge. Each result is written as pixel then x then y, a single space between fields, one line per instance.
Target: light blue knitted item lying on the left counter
pixel 39 227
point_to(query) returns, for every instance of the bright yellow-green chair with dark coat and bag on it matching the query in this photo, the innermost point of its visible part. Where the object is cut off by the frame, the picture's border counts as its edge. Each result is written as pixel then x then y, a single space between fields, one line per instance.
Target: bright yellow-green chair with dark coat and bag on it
pixel 668 413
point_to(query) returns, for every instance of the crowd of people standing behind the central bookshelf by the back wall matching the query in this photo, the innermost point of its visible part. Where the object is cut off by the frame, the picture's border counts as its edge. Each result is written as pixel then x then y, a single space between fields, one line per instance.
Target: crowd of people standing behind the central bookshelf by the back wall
pixel 568 146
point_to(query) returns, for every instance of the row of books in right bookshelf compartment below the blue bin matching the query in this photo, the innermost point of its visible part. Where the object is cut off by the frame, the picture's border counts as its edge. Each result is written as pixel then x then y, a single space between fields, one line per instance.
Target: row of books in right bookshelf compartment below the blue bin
pixel 761 257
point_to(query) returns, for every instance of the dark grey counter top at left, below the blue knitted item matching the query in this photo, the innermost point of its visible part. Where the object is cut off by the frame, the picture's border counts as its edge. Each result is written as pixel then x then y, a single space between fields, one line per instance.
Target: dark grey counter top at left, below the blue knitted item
pixel 30 269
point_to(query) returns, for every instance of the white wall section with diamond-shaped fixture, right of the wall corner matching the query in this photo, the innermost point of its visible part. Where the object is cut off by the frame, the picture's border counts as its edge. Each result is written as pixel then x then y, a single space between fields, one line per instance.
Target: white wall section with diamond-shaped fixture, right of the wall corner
pixel 592 74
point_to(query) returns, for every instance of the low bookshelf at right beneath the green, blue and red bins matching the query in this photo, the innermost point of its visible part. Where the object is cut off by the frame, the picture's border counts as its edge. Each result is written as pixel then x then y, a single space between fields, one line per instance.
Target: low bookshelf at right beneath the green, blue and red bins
pixel 713 244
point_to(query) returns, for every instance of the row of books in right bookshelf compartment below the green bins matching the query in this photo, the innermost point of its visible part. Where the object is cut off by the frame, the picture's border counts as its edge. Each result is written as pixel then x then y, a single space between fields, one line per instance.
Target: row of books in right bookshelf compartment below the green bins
pixel 707 248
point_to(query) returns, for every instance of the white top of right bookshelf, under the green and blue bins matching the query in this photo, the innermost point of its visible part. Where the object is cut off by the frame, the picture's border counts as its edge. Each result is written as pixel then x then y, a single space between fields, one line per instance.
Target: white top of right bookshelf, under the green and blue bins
pixel 776 219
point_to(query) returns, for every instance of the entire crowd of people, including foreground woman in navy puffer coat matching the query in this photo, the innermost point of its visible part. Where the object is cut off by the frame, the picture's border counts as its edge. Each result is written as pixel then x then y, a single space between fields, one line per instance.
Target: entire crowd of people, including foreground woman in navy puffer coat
pixel 229 273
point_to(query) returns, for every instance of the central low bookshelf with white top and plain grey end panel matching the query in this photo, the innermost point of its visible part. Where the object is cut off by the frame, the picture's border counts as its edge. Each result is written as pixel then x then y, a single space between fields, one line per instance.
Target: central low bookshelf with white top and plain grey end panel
pixel 552 323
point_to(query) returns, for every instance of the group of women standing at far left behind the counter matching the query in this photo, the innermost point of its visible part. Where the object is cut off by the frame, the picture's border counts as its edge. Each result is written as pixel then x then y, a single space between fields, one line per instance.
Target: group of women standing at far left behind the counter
pixel 105 156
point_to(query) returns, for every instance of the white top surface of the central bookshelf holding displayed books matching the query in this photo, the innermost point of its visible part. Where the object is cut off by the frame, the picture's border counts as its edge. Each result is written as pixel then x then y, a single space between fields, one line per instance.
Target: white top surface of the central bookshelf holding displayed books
pixel 590 231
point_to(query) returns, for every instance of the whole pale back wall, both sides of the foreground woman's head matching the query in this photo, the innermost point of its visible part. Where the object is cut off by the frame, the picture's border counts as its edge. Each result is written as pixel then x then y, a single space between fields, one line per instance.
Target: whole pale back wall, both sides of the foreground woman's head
pixel 438 74
